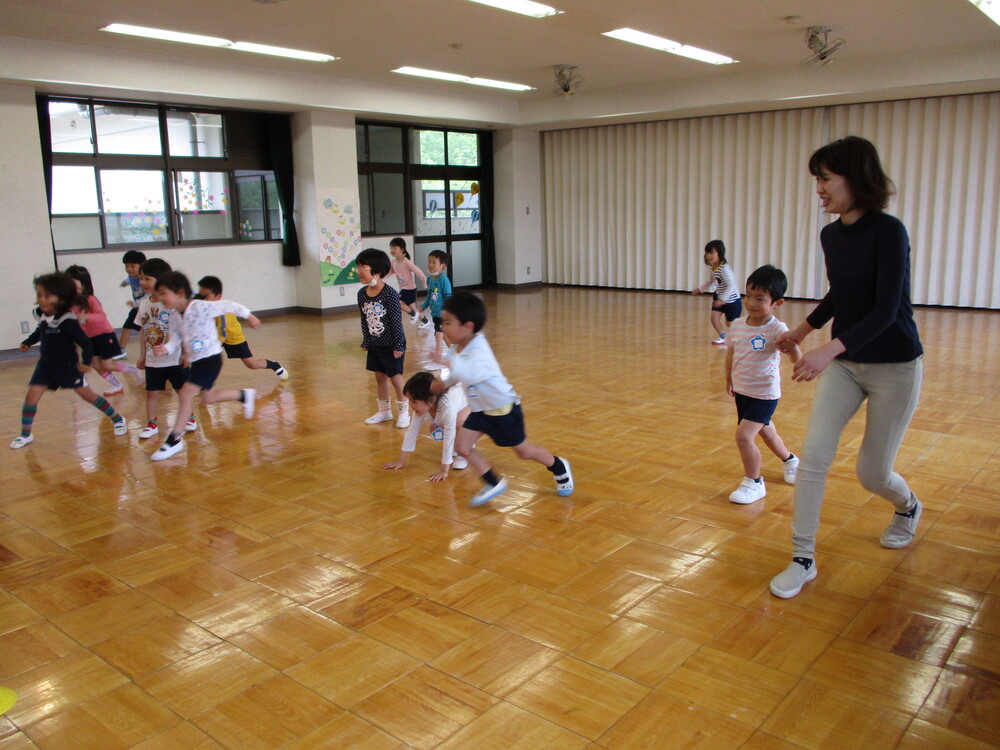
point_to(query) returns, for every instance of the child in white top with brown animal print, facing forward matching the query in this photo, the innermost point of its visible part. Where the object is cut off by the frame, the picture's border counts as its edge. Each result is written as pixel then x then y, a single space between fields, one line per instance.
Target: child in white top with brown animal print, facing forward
pixel 154 326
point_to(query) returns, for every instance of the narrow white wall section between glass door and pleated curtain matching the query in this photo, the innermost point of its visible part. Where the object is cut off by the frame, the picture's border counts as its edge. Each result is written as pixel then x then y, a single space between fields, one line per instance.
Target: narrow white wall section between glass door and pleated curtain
pixel 517 205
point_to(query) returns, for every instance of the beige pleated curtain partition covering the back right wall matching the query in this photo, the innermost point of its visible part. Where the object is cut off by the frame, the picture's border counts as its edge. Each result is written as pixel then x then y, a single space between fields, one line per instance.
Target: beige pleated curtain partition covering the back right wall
pixel 632 206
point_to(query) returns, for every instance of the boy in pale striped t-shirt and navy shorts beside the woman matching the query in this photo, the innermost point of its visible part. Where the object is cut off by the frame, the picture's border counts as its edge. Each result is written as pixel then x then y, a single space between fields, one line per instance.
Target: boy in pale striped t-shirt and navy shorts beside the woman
pixel 753 378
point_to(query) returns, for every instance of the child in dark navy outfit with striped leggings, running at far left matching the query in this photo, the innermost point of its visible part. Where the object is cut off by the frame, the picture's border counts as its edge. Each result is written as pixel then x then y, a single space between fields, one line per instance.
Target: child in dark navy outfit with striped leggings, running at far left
pixel 59 365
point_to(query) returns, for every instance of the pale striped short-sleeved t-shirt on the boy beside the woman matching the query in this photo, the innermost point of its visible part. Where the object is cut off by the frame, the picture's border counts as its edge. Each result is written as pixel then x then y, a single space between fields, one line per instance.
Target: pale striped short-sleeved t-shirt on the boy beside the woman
pixel 756 360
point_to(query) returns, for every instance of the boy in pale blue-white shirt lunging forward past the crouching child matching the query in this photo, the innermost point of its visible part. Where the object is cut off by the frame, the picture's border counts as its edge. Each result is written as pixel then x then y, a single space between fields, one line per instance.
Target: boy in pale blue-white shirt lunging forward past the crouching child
pixel 495 407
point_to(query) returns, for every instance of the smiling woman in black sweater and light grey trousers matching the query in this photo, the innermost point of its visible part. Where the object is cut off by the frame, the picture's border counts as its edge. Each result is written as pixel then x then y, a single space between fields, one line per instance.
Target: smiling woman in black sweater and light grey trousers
pixel 874 353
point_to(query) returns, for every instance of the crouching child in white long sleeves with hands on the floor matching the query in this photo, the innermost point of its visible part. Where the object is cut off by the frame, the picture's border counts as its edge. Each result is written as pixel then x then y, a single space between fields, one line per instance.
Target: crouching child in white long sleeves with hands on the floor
pixel 442 414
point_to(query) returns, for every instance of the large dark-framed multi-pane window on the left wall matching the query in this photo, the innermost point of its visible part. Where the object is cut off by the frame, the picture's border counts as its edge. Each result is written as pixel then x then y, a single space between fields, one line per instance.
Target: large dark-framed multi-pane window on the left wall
pixel 141 174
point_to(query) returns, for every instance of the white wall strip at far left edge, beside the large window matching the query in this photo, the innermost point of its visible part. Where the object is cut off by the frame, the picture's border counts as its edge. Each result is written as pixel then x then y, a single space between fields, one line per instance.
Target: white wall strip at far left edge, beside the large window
pixel 26 248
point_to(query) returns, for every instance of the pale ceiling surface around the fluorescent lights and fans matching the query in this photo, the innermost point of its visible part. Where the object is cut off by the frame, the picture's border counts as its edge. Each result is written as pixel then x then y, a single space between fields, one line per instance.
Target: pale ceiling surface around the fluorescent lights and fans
pixel 372 37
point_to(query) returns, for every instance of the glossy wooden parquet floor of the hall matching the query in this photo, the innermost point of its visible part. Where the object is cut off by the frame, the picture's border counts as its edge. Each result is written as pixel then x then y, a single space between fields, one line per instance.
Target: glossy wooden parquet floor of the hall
pixel 272 587
